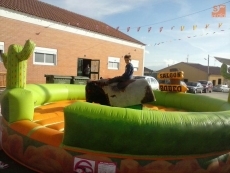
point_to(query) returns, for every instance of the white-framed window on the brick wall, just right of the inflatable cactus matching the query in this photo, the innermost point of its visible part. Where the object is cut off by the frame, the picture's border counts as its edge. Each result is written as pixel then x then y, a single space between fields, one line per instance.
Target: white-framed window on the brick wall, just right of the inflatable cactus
pixel 45 56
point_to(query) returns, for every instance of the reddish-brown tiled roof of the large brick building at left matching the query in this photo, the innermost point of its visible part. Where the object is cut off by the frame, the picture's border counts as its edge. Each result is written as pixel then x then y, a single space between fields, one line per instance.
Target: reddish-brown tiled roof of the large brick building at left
pixel 56 14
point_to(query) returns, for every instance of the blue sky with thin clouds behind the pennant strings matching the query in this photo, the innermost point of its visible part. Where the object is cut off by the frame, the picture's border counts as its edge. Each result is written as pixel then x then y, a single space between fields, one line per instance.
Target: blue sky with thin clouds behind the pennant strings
pixel 172 45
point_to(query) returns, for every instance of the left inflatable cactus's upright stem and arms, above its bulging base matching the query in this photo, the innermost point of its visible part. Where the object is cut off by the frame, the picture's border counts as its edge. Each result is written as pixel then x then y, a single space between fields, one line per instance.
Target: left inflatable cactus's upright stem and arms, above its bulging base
pixel 15 61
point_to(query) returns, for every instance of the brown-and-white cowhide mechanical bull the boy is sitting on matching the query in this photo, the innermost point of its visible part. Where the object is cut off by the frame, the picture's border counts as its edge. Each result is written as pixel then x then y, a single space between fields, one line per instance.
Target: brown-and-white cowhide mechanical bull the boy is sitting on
pixel 130 93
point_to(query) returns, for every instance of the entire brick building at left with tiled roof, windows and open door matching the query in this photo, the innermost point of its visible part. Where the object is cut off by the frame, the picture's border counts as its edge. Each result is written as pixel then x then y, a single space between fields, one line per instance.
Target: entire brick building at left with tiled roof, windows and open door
pixel 65 41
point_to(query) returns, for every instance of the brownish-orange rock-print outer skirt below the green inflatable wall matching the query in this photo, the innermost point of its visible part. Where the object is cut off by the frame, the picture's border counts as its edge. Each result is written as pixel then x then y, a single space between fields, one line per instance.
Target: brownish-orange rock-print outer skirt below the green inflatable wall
pixel 46 158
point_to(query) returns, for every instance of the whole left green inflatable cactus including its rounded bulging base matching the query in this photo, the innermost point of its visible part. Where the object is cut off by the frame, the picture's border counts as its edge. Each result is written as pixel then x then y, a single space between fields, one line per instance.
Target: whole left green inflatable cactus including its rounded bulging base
pixel 17 102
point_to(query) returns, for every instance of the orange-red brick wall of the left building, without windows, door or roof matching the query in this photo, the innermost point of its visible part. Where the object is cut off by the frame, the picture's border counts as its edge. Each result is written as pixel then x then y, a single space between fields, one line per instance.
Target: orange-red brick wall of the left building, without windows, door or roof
pixel 69 46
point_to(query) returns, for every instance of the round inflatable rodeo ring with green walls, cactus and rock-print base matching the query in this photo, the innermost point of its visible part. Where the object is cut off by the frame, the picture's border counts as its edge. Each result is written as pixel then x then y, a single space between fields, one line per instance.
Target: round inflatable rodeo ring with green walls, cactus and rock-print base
pixel 99 138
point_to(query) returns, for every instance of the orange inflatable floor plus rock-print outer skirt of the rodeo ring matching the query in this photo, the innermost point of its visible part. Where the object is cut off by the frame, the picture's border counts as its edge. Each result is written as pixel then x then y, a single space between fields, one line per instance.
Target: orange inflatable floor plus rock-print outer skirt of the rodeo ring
pixel 38 145
